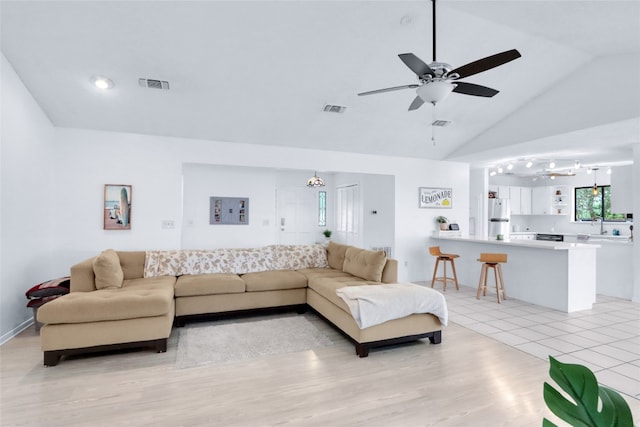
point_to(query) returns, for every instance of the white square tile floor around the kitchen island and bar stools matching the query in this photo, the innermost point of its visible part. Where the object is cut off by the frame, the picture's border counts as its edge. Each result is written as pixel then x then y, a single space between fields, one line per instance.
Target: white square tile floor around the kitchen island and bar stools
pixel 606 338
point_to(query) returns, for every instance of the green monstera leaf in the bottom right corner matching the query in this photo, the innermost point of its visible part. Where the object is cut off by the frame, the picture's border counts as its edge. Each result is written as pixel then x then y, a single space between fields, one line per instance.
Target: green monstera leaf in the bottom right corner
pixel 585 410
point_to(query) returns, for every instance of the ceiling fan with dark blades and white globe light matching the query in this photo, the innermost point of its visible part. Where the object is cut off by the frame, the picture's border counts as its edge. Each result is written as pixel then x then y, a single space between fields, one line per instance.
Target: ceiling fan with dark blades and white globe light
pixel 438 79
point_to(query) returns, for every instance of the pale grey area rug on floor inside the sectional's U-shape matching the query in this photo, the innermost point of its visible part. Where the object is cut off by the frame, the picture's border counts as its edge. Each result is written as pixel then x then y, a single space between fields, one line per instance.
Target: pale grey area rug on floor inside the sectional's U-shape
pixel 234 342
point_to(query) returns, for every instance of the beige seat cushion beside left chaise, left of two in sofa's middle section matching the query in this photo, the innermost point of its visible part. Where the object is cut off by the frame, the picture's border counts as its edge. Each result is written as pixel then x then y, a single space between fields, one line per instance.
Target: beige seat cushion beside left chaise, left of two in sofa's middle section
pixel 209 284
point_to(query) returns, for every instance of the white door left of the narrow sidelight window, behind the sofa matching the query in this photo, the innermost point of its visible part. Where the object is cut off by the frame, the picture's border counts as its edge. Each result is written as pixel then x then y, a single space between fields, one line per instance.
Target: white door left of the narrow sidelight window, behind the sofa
pixel 296 216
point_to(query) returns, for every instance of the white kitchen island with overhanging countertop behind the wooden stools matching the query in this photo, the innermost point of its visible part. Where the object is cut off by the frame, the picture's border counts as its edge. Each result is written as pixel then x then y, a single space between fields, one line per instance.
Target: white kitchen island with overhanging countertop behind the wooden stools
pixel 557 275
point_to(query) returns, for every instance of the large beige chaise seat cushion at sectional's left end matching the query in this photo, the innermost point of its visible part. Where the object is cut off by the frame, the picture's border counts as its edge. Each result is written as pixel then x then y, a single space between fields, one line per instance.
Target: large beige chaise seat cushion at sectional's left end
pixel 128 302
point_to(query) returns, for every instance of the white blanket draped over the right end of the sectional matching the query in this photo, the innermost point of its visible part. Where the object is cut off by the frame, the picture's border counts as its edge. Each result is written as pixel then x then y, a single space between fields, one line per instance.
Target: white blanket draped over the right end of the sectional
pixel 374 304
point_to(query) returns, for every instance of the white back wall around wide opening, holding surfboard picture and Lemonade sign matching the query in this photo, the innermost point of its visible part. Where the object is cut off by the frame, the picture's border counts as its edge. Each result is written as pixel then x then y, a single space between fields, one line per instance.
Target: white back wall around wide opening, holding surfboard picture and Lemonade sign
pixel 154 166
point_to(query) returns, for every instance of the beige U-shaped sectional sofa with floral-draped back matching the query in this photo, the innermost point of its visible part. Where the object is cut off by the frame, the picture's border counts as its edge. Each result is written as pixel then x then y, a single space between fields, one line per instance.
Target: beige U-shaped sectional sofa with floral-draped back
pixel 132 299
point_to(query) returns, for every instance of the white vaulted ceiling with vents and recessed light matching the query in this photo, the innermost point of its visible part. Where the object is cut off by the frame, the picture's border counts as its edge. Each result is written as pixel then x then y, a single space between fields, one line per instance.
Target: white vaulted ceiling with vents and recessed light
pixel 261 71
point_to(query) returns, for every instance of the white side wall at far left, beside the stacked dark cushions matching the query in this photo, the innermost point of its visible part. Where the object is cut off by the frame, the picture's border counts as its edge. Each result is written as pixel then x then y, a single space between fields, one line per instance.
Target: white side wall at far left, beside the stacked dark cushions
pixel 28 201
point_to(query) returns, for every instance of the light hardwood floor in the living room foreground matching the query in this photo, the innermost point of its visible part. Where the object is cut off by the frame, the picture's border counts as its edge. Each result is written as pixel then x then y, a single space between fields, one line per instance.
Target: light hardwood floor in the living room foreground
pixel 468 380
